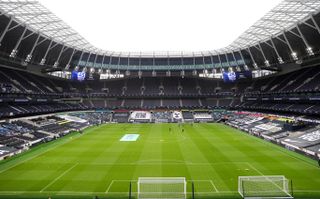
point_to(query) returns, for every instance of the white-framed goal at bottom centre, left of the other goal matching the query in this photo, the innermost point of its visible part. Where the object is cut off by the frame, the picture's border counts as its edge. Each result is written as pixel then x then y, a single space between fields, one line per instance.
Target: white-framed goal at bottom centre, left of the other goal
pixel 162 187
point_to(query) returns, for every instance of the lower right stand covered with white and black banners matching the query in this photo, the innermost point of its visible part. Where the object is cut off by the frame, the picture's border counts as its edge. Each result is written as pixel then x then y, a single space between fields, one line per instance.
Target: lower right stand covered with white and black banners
pixel 301 136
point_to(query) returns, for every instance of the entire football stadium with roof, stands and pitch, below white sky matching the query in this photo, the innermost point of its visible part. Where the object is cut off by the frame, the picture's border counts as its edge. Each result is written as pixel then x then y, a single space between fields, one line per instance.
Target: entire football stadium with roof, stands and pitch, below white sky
pixel 80 122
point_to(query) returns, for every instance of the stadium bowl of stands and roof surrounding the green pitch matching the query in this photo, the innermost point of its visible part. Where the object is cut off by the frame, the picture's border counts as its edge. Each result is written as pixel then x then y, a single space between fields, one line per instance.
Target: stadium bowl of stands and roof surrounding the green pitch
pixel 40 98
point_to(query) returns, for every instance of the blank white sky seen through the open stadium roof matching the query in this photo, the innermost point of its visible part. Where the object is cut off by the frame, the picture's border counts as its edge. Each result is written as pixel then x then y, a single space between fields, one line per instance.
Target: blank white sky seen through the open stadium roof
pixel 160 25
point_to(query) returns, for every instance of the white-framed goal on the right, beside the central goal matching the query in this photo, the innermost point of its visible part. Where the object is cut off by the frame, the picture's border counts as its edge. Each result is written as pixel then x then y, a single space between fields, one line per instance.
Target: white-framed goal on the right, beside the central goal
pixel 263 187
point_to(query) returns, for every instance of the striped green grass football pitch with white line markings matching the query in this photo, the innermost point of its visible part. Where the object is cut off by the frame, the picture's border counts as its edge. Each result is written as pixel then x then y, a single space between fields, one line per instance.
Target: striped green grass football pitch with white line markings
pixel 97 163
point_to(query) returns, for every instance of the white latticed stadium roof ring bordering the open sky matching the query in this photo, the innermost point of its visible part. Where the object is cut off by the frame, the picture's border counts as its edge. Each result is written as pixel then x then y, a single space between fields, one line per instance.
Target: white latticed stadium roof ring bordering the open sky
pixel 38 18
